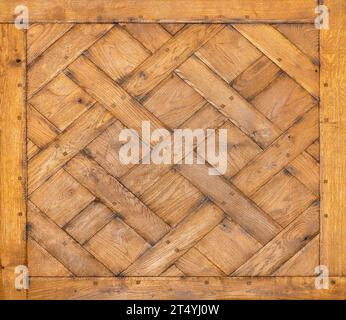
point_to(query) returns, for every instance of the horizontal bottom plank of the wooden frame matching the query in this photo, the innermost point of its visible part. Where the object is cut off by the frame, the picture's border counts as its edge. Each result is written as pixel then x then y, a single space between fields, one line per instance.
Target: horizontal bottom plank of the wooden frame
pixel 186 288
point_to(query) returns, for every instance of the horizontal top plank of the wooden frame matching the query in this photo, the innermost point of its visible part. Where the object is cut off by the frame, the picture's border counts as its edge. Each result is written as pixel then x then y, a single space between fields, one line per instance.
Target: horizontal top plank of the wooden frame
pixel 164 11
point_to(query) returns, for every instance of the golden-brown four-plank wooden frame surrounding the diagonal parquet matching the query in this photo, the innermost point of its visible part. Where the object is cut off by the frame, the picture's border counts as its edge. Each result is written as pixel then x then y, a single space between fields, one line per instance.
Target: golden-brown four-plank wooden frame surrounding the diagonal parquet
pixel 333 165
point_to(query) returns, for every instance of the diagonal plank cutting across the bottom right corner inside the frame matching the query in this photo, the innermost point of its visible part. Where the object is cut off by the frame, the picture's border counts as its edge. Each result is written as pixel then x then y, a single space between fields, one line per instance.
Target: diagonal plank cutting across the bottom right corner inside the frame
pixel 283 246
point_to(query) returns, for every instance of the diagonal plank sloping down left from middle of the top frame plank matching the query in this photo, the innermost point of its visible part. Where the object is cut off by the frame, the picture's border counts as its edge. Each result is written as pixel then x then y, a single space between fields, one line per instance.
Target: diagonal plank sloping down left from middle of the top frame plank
pixel 176 50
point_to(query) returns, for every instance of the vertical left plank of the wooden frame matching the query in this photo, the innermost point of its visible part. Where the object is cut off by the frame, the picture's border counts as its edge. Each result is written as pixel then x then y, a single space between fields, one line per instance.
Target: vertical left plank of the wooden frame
pixel 12 155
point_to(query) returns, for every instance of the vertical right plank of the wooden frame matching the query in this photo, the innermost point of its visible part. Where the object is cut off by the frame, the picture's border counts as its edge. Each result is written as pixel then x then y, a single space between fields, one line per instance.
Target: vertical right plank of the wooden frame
pixel 333 140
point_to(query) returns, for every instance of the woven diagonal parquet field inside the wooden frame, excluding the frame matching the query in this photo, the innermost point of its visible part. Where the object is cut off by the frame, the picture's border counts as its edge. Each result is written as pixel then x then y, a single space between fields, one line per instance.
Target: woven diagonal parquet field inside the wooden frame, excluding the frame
pixel 89 215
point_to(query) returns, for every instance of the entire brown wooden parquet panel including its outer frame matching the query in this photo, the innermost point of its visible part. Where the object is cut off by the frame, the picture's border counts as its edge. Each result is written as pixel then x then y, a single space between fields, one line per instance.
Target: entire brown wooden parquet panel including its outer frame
pixel 100 229
